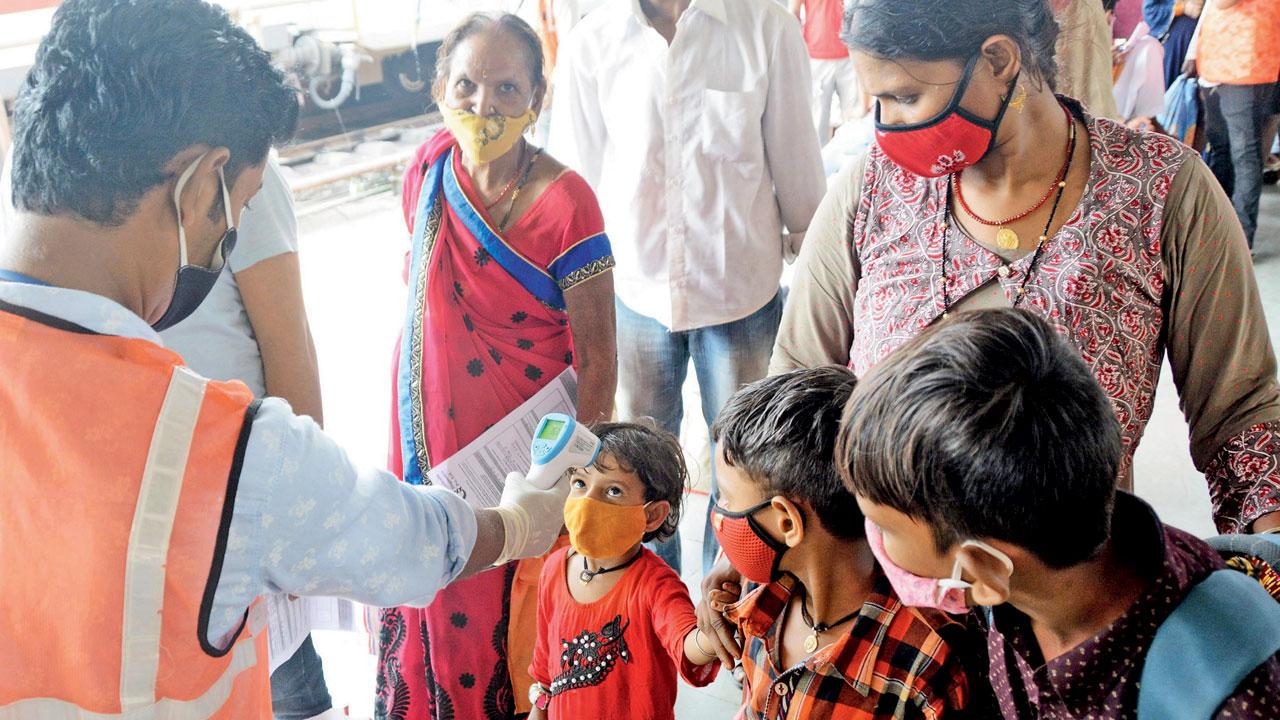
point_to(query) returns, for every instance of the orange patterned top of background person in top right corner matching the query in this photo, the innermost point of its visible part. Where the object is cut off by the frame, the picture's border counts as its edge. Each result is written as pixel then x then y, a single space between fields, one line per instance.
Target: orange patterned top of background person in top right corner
pixel 1241 45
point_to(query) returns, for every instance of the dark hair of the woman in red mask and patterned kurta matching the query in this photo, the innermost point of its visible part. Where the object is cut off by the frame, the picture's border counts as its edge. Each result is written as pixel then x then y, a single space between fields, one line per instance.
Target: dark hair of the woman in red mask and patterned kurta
pixel 953 30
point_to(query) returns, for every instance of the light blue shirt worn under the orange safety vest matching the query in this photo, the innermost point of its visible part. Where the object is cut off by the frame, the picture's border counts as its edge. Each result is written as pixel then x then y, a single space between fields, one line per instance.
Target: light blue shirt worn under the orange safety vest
pixel 307 520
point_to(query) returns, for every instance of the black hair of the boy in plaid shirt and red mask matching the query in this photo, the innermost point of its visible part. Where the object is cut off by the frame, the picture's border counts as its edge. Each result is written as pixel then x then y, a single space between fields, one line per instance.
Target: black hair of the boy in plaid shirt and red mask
pixel 781 432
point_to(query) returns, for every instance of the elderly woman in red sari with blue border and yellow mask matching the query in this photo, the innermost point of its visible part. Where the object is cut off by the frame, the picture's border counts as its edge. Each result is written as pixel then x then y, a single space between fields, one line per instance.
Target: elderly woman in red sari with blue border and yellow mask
pixel 510 285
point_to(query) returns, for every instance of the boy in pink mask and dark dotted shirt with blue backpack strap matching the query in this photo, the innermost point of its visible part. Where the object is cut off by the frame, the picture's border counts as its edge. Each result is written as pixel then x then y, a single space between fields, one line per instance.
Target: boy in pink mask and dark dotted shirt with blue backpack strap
pixel 985 457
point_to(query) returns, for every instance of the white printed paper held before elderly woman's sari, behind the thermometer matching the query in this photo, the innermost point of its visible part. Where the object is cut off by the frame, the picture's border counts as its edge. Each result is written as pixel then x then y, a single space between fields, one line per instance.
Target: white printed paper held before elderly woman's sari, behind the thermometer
pixel 478 471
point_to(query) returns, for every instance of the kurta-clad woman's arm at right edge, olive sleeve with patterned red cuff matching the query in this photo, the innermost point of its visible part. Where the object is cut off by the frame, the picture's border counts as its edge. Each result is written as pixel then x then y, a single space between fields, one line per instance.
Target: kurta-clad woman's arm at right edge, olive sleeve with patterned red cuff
pixel 1220 353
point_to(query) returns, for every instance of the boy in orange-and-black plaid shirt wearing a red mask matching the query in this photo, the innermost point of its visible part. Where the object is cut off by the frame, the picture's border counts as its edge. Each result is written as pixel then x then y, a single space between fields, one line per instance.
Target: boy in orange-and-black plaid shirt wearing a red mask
pixel 825 636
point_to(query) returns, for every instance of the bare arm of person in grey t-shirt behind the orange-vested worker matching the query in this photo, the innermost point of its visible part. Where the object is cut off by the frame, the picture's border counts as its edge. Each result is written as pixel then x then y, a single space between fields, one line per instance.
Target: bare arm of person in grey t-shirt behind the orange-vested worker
pixel 272 291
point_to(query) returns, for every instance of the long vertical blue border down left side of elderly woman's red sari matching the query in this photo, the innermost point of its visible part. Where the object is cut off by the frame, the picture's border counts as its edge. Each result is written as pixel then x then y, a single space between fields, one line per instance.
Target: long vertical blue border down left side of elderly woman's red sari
pixel 405 398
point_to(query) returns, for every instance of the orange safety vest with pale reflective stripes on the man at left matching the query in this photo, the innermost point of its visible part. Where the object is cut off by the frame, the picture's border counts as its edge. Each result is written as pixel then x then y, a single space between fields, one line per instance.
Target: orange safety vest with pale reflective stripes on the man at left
pixel 118 473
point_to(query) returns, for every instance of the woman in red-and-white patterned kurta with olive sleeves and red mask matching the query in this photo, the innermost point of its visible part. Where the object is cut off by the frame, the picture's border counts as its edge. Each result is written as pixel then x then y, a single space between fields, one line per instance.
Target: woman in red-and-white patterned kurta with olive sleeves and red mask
pixel 1144 257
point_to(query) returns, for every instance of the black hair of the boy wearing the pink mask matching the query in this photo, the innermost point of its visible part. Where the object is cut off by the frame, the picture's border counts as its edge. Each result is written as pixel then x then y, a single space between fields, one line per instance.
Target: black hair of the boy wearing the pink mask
pixel 989 426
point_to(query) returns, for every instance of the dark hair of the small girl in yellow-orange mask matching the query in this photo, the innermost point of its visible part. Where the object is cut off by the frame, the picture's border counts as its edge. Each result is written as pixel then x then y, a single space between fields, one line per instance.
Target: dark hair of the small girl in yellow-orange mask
pixel 656 458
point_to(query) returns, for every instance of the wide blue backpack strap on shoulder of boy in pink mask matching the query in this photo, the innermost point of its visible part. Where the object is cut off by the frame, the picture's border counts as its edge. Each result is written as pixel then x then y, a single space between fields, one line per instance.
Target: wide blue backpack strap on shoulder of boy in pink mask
pixel 1224 628
